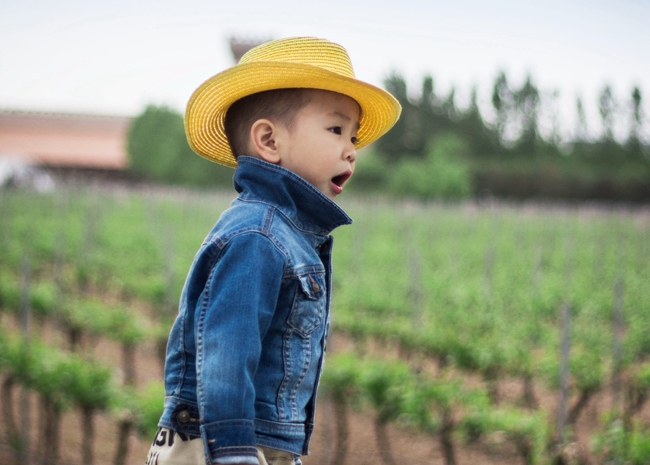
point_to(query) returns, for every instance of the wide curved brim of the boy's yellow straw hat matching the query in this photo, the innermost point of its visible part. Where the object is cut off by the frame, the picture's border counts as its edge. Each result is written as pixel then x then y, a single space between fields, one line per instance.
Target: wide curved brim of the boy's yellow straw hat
pixel 207 107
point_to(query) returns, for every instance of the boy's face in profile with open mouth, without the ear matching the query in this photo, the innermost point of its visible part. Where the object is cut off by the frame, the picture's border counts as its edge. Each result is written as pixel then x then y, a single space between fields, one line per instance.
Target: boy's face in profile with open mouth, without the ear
pixel 320 147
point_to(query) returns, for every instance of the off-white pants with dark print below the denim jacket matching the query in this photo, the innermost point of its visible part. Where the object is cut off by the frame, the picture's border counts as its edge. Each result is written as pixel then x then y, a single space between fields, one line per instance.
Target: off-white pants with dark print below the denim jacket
pixel 170 448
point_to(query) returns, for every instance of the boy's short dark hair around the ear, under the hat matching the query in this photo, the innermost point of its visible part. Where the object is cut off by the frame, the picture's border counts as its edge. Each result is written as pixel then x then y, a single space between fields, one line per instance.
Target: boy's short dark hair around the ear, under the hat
pixel 279 106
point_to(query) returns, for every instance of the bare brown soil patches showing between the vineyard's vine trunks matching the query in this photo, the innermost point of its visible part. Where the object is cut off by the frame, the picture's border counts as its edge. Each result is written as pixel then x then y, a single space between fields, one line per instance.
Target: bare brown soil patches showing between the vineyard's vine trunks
pixel 407 447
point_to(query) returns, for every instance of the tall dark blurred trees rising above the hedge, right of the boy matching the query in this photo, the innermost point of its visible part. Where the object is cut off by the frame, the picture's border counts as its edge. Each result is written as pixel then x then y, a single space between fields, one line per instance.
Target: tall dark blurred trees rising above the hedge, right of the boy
pixel 515 126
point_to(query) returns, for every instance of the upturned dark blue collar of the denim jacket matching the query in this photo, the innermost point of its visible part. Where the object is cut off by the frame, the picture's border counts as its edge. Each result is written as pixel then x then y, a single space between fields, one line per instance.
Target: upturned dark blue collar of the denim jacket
pixel 306 206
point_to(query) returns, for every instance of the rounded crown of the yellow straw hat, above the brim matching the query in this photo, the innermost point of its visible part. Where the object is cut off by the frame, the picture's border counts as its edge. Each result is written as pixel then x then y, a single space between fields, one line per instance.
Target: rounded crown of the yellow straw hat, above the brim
pixel 311 51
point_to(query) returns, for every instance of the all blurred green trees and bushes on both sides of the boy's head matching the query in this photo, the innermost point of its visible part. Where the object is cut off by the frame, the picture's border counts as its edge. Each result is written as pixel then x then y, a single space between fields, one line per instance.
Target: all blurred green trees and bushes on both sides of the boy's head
pixel 438 149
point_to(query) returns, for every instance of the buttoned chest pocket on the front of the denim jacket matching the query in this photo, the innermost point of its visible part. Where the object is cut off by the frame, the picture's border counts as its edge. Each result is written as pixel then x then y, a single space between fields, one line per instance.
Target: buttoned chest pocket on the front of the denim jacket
pixel 308 310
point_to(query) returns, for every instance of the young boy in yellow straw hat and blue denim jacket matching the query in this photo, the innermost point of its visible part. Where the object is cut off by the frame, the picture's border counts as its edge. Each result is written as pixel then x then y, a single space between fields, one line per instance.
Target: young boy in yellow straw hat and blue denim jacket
pixel 246 351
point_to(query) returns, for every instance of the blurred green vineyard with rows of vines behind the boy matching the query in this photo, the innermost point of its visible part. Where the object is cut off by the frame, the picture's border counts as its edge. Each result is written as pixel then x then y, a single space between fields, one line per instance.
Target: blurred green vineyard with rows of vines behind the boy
pixel 519 330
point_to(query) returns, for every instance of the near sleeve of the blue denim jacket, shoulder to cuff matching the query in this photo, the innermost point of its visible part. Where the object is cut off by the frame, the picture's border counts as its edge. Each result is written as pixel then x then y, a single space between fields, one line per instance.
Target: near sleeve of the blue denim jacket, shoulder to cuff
pixel 232 317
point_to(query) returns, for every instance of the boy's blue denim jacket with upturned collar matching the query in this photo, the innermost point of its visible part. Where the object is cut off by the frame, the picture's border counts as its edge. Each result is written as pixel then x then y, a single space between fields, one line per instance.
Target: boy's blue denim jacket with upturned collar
pixel 245 353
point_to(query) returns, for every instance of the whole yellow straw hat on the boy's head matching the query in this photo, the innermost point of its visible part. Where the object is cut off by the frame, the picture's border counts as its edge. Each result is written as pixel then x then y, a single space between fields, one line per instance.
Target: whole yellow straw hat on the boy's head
pixel 298 62
